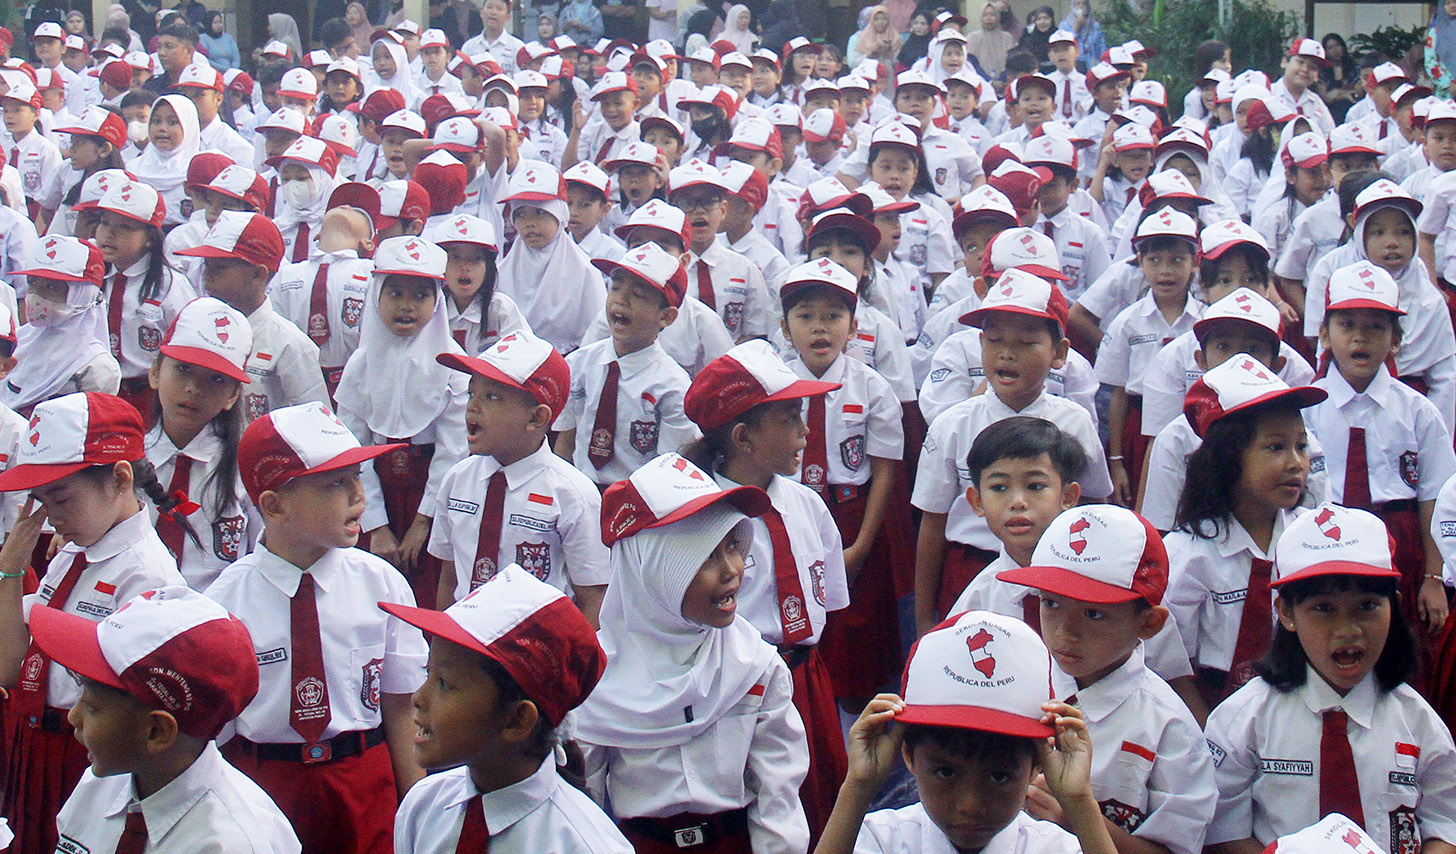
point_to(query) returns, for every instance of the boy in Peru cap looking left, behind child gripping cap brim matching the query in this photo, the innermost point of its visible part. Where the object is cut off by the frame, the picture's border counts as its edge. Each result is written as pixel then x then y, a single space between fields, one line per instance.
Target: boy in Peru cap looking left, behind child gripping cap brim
pixel 1101 572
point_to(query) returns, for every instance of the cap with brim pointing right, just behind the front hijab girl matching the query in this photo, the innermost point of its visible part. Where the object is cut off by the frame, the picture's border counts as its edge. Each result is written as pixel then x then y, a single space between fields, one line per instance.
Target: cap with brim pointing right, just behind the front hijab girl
pixel 742 379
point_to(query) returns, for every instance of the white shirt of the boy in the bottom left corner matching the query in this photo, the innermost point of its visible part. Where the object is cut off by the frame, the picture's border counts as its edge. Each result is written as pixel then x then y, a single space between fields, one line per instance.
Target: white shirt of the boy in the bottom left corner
pixel 210 808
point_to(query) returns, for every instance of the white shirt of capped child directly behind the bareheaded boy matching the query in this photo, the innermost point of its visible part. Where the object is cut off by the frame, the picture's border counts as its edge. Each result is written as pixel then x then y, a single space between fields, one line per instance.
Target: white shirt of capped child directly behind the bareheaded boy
pixel 944 475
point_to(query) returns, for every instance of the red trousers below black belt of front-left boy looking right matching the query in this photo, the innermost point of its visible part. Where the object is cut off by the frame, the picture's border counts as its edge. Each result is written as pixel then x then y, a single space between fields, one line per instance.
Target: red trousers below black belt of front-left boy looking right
pixel 346 807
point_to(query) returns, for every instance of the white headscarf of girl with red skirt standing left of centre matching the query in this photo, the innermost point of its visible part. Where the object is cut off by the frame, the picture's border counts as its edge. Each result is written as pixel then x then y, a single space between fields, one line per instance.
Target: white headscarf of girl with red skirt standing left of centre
pixel 395 383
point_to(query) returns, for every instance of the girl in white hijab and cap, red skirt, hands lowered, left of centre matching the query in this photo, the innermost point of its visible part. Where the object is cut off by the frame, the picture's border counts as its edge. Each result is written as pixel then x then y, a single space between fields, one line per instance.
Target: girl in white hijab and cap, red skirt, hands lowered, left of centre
pixel 395 392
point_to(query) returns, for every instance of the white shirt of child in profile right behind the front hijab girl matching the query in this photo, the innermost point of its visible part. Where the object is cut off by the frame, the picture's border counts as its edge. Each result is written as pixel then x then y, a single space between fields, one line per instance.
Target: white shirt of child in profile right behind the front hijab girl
pixel 818 552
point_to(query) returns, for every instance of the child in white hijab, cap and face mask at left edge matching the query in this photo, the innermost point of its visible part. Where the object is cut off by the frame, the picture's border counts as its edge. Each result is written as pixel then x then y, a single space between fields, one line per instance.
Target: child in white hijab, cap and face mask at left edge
pixel 62 348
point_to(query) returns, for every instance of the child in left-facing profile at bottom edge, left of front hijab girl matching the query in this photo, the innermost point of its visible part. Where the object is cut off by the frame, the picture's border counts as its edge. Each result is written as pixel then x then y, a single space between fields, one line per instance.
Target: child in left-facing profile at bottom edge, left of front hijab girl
pixel 507 664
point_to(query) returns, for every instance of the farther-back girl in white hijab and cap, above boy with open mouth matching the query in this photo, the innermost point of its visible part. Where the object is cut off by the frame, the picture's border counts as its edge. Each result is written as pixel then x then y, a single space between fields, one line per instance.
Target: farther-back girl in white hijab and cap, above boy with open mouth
pixel 545 273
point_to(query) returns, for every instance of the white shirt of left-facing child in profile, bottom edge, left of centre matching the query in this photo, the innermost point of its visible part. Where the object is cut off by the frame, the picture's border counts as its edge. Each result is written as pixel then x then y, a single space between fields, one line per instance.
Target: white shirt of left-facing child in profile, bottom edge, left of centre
pixel 539 815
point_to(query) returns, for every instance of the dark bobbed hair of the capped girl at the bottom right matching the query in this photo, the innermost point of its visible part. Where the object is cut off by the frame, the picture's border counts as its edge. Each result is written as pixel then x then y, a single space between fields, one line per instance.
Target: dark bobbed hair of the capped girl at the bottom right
pixel 1283 667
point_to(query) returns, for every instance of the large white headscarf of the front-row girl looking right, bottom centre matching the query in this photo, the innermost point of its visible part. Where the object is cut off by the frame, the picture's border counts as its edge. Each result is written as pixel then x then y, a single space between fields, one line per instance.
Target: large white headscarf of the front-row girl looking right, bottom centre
pixel 660 663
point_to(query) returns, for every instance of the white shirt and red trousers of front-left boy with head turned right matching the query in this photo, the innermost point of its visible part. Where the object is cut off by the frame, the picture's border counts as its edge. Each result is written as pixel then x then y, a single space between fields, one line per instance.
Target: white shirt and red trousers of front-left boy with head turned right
pixel 339 792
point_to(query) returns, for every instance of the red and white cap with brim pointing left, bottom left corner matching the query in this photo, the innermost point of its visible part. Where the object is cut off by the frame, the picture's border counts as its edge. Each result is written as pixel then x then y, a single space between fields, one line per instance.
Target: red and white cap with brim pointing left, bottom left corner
pixel 173 648
